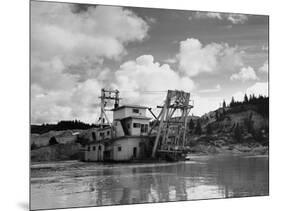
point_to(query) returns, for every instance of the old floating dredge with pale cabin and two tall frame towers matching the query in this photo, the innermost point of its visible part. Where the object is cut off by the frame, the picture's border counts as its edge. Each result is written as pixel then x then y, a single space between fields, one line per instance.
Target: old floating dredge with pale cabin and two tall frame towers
pixel 134 136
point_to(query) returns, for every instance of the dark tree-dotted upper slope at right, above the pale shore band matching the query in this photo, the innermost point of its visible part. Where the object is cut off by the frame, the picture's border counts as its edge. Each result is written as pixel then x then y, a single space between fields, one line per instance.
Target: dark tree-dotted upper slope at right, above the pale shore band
pixel 247 116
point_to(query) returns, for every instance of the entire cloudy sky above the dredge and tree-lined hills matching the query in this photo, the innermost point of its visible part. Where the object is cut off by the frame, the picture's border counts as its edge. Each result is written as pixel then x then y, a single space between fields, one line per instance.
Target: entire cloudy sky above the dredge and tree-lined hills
pixel 78 49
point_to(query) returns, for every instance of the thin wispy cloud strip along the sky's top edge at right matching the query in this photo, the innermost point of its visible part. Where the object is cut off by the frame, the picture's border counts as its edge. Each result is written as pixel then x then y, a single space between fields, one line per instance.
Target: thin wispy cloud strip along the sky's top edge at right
pixel 231 17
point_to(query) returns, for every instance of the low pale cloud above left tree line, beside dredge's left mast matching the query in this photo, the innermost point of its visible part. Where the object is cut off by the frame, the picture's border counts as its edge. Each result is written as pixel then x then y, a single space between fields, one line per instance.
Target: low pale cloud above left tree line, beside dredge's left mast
pixel 78 103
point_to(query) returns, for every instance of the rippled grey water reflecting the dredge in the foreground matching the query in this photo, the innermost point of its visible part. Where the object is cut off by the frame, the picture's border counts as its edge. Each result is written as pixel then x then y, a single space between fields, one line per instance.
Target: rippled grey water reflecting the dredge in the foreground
pixel 76 184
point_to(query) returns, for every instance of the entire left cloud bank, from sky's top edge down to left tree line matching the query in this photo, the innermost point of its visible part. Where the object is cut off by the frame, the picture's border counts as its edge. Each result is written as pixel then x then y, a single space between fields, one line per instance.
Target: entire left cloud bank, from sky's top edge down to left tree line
pixel 68 48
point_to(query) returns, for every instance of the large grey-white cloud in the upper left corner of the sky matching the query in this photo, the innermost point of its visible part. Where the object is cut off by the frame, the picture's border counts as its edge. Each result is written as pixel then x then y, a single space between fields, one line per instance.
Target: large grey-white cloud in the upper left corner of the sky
pixel 96 32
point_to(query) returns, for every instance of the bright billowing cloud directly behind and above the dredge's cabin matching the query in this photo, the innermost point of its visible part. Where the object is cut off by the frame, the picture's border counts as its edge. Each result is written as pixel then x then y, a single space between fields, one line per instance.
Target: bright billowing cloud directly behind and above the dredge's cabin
pixel 145 81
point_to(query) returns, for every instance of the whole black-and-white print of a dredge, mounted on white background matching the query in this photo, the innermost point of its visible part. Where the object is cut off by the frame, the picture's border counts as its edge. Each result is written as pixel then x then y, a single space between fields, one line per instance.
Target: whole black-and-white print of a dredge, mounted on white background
pixel 135 105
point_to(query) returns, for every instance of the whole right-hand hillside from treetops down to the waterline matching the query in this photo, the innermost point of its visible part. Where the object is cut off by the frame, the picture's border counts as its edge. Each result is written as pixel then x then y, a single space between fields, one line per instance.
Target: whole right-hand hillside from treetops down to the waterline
pixel 238 127
